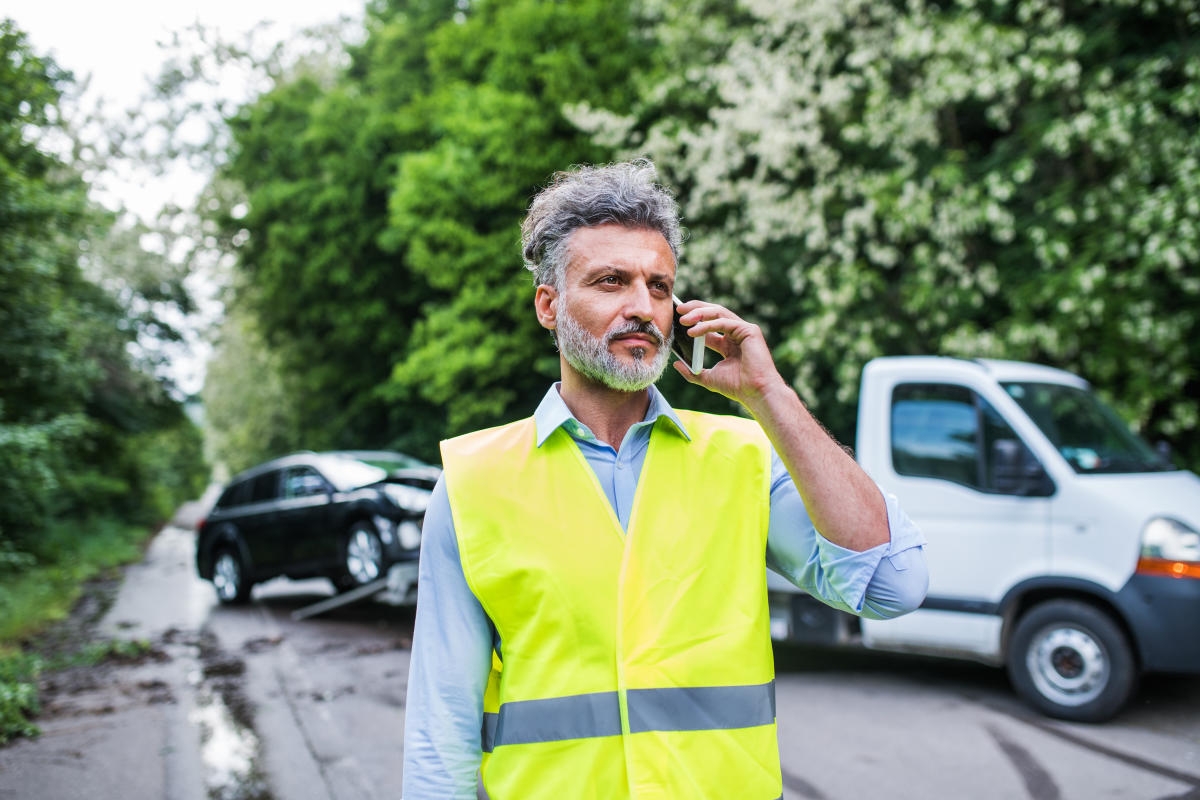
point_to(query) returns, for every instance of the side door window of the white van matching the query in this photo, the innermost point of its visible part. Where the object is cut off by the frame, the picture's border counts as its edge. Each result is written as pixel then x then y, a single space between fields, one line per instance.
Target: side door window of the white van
pixel 952 434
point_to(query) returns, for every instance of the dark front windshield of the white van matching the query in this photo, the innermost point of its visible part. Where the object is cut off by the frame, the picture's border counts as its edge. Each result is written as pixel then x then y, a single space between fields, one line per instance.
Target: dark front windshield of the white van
pixel 1089 435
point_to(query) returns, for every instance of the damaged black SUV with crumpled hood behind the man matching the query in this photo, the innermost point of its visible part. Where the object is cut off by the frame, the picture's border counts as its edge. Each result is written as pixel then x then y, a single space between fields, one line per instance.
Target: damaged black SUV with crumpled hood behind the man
pixel 347 516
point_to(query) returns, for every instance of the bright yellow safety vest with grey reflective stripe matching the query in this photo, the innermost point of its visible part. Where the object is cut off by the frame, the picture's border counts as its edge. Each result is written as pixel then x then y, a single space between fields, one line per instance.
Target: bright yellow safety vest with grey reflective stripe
pixel 632 665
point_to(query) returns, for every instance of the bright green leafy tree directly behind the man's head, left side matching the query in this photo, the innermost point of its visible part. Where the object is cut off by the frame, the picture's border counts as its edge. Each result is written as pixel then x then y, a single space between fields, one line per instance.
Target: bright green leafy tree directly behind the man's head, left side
pixel 500 82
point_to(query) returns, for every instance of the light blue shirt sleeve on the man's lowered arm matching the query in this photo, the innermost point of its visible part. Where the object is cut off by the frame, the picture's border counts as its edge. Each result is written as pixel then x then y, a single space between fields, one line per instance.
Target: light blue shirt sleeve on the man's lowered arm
pixel 449 669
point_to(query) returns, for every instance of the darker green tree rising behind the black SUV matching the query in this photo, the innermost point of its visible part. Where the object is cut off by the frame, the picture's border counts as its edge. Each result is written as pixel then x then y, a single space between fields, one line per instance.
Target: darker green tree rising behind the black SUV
pixel 314 158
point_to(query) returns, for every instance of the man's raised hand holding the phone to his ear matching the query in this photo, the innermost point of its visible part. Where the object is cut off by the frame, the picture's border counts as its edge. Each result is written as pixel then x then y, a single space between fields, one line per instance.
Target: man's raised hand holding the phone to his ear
pixel 747 374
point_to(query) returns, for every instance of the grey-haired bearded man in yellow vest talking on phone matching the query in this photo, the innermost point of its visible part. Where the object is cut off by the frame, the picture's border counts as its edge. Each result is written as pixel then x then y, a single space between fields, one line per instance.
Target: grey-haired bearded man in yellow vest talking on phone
pixel 593 617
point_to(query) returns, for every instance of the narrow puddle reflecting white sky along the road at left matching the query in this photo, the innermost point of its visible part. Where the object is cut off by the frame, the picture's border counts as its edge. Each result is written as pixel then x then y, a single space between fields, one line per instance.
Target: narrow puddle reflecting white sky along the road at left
pixel 230 748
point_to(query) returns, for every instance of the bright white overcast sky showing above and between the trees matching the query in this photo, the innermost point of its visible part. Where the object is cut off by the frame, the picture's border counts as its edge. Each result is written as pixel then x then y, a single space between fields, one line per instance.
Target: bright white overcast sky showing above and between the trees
pixel 116 44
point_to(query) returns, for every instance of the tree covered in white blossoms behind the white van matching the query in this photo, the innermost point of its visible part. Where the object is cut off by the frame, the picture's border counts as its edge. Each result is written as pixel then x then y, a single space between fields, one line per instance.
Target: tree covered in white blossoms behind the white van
pixel 971 178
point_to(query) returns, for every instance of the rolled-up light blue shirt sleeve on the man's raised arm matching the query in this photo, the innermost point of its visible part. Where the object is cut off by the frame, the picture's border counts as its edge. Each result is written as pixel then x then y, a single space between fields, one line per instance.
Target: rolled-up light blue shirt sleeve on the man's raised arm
pixel 879 584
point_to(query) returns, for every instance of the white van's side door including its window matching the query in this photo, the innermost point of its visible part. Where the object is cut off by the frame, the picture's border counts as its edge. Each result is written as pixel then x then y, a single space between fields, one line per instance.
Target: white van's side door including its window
pixel 962 473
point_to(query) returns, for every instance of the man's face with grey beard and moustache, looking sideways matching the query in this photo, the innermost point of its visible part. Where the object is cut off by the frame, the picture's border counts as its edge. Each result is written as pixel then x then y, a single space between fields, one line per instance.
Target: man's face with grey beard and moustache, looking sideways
pixel 615 315
